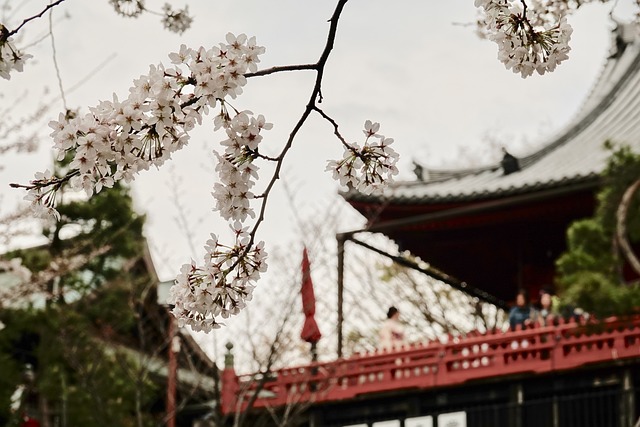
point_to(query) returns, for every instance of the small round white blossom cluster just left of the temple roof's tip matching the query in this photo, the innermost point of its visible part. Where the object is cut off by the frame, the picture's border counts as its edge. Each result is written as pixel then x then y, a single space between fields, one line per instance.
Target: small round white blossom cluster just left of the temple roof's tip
pixel 368 168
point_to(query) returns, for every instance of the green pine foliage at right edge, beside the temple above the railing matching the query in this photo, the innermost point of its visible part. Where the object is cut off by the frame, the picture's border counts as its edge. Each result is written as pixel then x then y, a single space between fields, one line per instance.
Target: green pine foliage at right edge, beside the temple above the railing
pixel 590 271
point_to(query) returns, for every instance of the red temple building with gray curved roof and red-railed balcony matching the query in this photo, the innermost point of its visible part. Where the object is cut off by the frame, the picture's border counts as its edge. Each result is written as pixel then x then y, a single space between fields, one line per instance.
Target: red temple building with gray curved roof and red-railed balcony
pixel 487 231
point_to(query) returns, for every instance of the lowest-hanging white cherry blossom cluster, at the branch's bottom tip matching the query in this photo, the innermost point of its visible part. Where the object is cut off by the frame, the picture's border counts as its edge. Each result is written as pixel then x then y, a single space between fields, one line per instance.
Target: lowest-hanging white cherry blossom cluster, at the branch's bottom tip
pixel 221 288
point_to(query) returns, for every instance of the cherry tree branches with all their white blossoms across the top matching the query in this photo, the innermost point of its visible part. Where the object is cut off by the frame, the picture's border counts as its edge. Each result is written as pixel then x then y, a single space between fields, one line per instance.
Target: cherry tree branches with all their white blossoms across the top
pixel 119 138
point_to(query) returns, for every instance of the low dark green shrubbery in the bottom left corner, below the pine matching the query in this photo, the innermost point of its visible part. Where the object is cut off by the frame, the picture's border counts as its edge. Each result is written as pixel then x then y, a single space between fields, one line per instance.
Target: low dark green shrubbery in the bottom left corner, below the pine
pixel 73 369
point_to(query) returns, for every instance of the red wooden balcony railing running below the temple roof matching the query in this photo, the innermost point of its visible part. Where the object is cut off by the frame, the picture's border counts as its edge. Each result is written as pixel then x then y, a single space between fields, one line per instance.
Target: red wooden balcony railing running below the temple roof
pixel 535 350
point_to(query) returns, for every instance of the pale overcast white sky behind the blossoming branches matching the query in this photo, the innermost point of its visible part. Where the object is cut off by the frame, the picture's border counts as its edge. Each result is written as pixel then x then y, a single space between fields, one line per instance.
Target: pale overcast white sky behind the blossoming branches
pixel 435 88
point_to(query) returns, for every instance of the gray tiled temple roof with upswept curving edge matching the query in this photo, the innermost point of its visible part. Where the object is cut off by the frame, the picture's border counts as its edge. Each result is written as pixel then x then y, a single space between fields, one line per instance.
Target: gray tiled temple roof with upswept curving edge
pixel 575 154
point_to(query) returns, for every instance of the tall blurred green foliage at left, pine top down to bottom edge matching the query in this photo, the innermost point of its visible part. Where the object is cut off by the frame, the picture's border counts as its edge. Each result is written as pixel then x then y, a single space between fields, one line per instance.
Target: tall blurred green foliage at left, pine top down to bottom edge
pixel 72 343
